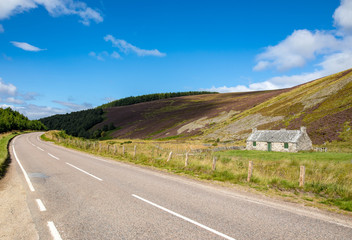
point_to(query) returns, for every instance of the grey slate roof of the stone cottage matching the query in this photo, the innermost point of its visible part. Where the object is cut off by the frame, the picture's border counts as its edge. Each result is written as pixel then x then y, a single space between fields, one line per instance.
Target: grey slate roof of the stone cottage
pixel 291 136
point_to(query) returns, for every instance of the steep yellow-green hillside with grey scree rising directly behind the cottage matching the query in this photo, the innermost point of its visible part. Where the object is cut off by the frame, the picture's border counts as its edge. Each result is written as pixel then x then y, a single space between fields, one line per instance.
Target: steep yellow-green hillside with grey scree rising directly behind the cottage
pixel 324 106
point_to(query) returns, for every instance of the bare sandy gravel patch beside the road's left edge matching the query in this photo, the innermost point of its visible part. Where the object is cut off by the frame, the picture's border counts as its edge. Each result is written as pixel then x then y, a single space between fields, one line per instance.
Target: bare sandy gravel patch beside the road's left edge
pixel 15 219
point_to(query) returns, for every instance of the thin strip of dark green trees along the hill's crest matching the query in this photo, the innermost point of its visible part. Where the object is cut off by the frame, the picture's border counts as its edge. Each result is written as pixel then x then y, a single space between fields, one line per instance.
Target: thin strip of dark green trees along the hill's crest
pixel 151 97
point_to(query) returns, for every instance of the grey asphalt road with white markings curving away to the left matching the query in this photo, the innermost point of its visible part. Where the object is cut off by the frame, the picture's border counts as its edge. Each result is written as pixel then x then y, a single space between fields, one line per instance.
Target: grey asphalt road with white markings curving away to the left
pixel 73 195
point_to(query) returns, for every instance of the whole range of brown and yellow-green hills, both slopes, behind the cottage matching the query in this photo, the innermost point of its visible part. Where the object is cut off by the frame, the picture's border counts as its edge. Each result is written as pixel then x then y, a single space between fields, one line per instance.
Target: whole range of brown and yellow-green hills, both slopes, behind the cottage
pixel 324 106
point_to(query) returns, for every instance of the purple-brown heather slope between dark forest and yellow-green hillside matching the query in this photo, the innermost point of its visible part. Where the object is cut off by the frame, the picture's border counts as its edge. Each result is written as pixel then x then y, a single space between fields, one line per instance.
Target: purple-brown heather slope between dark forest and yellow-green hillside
pixel 181 116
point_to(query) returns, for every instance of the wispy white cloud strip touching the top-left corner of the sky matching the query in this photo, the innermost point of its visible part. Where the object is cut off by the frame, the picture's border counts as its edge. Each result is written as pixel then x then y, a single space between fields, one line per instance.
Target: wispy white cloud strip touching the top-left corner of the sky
pixel 55 8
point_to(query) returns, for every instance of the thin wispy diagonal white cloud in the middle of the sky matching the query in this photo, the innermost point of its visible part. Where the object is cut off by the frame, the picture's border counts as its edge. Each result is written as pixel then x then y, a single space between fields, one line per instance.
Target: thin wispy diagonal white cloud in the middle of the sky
pixel 126 48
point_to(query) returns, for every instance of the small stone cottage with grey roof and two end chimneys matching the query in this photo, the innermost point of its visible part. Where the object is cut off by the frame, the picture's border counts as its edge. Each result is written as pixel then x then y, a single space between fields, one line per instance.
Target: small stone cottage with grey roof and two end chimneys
pixel 279 140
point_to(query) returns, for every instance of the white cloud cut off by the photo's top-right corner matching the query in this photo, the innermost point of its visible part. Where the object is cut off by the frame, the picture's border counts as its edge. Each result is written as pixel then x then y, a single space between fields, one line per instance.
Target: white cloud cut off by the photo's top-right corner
pixel 343 15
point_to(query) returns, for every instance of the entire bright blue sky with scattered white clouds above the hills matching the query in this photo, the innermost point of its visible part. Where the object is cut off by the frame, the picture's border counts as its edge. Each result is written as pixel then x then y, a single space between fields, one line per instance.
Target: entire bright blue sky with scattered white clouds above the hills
pixel 58 56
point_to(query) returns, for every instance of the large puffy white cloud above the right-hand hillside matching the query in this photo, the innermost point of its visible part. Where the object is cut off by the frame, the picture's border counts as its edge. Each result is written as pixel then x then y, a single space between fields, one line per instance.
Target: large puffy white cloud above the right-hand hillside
pixel 298 48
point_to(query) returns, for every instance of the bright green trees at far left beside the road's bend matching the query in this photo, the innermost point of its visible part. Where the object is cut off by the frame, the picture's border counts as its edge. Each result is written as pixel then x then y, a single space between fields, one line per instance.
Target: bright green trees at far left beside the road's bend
pixel 13 120
